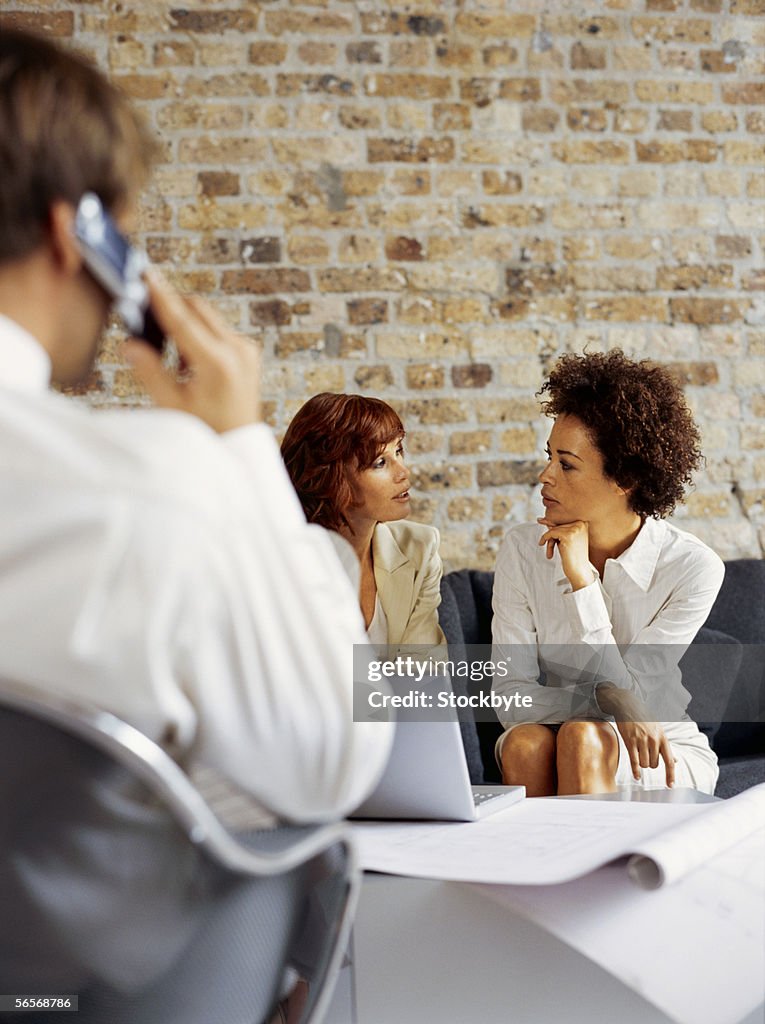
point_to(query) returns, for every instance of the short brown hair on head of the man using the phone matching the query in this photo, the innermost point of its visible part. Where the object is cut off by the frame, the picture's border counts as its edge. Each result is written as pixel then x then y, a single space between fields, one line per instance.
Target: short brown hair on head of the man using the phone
pixel 65 131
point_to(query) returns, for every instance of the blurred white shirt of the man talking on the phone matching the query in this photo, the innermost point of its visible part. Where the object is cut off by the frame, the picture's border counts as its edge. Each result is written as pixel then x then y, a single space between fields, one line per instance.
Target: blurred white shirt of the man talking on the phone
pixel 167 575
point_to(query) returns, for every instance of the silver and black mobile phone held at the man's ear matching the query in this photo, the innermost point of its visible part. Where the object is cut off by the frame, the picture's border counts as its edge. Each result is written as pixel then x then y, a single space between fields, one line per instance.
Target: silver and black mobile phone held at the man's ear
pixel 118 268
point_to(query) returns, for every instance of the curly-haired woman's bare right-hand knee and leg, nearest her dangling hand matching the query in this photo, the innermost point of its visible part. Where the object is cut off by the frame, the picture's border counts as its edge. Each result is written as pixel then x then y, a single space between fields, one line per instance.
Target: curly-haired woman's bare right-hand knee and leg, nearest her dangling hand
pixel 587 756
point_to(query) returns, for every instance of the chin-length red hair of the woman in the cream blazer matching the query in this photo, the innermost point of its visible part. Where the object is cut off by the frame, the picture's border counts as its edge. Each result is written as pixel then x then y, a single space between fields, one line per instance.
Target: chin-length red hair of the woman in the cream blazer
pixel 331 438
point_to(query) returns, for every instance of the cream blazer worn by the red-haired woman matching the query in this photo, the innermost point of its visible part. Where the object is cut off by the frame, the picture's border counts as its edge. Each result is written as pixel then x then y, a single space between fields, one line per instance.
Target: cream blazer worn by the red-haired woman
pixel 408 574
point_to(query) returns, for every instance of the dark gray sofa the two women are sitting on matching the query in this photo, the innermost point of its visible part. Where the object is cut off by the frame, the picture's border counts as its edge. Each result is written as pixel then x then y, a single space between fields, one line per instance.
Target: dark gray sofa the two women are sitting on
pixel 725 670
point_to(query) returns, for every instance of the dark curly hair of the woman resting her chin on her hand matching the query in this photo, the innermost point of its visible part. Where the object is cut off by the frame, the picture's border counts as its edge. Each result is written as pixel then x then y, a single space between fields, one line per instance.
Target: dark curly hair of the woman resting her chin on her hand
pixel 637 417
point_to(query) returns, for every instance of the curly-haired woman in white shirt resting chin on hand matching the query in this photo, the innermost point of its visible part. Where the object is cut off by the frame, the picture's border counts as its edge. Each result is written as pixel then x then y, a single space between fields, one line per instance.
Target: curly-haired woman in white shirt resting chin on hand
pixel 604 596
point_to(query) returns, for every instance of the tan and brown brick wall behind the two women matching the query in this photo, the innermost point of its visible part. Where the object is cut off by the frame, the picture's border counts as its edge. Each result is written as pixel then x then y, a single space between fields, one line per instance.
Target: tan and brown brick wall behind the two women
pixel 428 202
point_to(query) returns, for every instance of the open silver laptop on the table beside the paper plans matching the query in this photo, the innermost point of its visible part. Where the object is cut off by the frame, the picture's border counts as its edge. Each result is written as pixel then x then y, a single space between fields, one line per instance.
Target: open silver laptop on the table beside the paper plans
pixel 428 779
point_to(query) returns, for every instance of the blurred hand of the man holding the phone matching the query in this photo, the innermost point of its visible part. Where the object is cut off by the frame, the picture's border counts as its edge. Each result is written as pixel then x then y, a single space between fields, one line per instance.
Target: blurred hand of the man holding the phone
pixel 222 379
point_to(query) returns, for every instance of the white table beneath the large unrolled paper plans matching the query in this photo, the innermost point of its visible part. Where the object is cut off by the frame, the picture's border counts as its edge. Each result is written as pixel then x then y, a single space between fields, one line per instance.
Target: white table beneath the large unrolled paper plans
pixel 442 952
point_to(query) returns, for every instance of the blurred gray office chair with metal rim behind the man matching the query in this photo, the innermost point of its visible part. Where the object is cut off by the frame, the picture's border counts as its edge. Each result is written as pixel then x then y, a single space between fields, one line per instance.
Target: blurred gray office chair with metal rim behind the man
pixel 119 885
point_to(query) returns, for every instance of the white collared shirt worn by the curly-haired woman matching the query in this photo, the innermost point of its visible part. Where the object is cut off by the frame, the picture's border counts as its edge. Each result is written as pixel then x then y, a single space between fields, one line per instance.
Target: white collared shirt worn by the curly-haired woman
pixel 631 628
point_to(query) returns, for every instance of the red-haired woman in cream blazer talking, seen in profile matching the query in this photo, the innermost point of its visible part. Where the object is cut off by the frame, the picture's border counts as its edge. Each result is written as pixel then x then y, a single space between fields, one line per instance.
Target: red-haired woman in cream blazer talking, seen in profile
pixel 345 454
